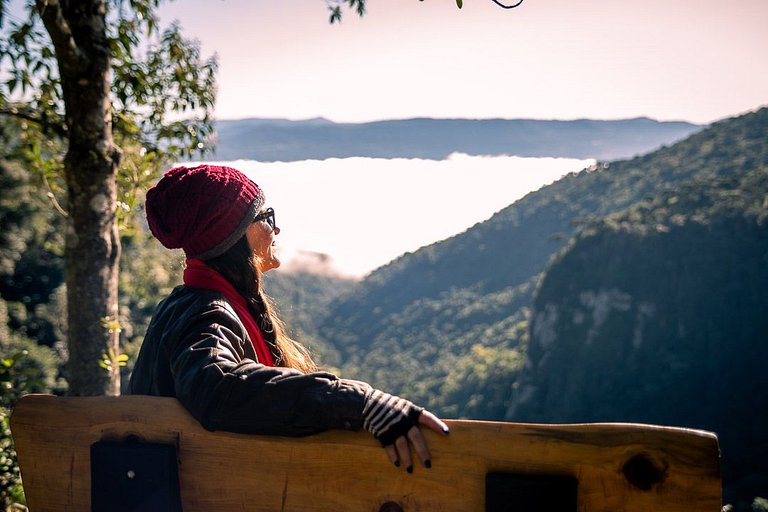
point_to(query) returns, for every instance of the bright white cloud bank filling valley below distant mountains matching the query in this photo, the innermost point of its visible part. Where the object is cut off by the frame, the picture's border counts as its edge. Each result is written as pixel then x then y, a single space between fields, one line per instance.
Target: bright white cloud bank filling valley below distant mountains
pixel 364 212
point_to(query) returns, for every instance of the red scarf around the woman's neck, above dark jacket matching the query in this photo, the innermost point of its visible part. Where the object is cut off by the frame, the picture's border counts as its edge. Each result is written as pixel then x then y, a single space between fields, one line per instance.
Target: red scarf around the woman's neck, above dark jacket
pixel 199 275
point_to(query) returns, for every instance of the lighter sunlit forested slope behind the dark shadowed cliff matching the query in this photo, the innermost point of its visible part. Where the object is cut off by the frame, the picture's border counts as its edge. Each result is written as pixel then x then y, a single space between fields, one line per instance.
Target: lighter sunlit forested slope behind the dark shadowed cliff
pixel 471 293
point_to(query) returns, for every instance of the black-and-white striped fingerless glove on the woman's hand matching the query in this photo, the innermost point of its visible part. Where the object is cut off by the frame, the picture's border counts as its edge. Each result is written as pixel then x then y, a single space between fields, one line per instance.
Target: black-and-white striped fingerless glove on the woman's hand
pixel 388 417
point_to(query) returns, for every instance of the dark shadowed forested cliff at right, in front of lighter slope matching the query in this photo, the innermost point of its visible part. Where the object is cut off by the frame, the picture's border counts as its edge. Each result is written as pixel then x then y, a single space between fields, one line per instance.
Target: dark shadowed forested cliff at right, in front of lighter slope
pixel 660 315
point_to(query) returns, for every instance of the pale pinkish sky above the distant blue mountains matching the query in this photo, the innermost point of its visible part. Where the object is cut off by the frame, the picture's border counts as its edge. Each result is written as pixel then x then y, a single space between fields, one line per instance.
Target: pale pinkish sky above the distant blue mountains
pixel 691 60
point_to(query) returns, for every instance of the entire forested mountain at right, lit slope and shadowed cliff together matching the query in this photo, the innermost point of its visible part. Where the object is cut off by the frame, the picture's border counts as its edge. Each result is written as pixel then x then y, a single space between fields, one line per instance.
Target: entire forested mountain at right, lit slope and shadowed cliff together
pixel 459 326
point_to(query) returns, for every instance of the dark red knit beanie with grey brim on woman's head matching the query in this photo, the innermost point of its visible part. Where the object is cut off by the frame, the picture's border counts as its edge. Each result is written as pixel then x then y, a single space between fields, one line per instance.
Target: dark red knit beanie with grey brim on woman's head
pixel 203 210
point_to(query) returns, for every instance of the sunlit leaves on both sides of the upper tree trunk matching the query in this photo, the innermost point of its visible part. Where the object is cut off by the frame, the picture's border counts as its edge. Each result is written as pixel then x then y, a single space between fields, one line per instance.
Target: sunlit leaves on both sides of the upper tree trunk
pixel 155 74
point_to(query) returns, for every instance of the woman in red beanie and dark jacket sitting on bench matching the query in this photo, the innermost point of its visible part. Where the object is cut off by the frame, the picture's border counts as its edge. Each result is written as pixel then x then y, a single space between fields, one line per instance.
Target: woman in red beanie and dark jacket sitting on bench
pixel 215 343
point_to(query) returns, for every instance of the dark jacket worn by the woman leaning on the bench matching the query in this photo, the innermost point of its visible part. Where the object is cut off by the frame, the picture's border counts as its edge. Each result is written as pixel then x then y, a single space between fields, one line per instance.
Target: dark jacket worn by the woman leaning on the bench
pixel 197 350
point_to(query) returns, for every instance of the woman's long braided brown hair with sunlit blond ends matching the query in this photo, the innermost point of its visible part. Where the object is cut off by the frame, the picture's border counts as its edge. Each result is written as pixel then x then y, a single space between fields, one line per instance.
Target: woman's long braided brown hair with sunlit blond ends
pixel 239 266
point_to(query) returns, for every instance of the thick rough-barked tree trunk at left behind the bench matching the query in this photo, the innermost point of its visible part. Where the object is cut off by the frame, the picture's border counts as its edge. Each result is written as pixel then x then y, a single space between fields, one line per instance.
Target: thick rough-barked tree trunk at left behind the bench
pixel 78 31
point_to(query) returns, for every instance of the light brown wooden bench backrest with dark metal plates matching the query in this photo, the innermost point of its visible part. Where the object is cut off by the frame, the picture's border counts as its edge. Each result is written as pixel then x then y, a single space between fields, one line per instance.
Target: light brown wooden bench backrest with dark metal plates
pixel 479 466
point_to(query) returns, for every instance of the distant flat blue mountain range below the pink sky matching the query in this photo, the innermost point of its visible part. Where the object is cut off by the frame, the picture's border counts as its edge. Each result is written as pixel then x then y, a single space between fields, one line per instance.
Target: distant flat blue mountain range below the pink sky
pixel 270 140
